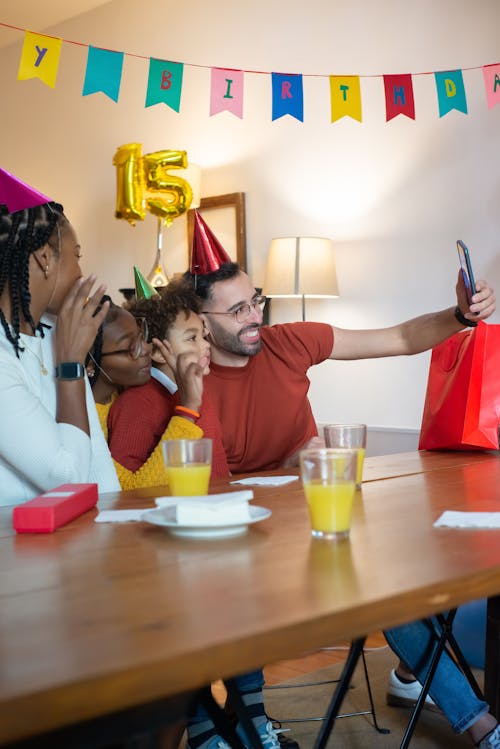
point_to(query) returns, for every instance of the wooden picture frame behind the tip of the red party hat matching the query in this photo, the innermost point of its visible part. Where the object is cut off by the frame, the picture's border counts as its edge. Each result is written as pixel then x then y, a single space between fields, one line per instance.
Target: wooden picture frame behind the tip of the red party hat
pixel 225 215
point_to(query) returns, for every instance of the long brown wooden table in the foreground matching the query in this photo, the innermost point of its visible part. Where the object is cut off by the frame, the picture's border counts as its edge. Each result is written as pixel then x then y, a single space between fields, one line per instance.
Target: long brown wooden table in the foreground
pixel 102 617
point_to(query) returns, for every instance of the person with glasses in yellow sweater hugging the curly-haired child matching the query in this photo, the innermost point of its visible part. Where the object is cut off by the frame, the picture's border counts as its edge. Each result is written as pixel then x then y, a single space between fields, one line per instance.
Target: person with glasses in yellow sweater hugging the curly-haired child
pixel 121 358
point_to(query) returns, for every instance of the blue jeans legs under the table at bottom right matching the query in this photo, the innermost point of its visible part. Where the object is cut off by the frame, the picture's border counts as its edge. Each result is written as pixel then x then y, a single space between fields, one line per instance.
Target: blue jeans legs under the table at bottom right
pixel 449 687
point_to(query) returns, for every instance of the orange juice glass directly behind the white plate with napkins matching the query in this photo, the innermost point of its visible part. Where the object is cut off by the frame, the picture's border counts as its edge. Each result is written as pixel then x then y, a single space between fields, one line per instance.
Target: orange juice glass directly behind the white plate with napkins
pixel 188 464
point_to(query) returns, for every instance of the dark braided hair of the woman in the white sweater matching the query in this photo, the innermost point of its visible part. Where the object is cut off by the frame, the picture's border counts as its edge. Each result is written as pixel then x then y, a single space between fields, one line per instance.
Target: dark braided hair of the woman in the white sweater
pixel 21 234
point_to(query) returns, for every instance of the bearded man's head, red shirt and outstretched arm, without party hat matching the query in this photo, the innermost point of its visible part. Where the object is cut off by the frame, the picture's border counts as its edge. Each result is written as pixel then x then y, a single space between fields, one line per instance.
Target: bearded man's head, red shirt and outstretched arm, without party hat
pixel 258 377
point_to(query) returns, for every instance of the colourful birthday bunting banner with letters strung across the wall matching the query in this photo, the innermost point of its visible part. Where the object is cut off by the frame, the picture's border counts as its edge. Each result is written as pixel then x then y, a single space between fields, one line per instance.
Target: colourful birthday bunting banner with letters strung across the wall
pixel 41 54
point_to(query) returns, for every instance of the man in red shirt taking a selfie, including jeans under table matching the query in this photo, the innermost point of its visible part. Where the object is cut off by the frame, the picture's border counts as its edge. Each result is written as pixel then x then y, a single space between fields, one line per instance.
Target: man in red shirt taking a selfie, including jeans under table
pixel 258 382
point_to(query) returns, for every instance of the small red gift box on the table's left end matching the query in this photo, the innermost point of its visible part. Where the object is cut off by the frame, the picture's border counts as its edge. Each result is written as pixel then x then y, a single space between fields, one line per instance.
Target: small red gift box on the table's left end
pixel 45 513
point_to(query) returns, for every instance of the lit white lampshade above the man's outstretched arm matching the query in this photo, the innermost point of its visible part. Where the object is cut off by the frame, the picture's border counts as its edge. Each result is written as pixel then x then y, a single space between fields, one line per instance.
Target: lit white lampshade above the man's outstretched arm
pixel 301 266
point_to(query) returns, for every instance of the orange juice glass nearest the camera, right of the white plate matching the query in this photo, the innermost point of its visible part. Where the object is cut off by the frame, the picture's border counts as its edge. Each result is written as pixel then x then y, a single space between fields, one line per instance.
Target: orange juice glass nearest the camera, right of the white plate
pixel 329 480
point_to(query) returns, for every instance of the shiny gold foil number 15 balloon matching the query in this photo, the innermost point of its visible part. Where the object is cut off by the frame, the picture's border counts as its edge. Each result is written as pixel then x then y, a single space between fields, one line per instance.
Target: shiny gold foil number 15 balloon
pixel 145 183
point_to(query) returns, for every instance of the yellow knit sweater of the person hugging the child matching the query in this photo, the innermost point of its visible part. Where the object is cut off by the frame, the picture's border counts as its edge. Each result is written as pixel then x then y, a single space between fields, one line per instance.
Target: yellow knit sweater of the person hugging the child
pixel 152 472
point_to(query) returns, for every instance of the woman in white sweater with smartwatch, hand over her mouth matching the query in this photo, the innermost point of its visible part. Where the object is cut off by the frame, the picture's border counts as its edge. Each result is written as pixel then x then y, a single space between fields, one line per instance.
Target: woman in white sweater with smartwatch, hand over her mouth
pixel 50 432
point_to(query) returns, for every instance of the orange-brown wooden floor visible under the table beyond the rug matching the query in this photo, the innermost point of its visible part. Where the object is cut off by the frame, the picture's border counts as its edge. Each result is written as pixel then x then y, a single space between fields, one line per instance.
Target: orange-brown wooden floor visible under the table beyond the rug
pixel 283 670
